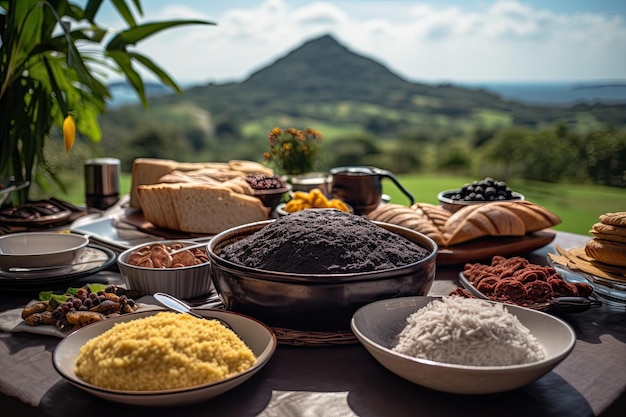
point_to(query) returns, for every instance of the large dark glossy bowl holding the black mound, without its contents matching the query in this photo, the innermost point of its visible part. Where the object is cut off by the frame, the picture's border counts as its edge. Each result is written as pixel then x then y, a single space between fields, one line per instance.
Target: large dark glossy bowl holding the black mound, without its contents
pixel 314 302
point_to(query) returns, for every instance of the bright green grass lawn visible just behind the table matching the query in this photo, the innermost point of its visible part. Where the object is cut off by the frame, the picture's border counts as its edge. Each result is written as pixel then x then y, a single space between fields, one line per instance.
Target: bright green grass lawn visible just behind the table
pixel 578 206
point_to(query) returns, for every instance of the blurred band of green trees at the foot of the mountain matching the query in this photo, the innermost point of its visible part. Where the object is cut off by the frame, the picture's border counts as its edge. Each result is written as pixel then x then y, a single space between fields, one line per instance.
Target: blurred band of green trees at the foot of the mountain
pixel 553 154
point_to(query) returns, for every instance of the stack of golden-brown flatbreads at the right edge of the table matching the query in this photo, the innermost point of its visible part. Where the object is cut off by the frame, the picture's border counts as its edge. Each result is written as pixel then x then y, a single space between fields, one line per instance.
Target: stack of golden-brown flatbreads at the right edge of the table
pixel 604 255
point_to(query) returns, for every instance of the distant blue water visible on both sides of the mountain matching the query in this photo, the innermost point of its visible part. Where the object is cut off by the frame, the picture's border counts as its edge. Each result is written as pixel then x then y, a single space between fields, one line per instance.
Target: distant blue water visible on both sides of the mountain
pixel 546 93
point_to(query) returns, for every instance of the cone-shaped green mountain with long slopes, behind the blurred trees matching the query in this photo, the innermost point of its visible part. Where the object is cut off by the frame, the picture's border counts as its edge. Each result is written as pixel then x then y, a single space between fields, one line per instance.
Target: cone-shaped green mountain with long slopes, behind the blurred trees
pixel 322 73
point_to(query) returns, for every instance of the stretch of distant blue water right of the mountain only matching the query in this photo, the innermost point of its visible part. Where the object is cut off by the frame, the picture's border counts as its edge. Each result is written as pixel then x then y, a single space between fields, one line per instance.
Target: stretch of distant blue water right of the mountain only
pixel 558 93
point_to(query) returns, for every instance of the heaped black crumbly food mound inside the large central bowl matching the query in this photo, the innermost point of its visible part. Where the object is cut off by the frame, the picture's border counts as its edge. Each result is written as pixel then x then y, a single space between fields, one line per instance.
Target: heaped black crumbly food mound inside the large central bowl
pixel 323 241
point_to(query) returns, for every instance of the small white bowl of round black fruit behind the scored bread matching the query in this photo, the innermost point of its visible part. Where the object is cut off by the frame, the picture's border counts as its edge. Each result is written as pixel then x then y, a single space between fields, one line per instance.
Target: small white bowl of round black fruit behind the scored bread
pixel 483 191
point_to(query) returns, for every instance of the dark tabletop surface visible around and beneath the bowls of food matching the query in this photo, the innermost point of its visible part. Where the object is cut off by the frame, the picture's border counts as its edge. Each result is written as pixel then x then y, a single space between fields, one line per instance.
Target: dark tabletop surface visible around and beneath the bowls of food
pixel 343 380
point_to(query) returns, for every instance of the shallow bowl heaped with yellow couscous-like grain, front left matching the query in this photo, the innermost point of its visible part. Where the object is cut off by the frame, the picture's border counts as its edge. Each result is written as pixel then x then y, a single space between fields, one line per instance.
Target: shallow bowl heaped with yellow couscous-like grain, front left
pixel 162 363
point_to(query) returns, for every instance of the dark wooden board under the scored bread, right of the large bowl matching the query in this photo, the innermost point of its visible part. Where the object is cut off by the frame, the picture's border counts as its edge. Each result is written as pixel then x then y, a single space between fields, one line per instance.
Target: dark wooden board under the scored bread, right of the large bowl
pixel 488 247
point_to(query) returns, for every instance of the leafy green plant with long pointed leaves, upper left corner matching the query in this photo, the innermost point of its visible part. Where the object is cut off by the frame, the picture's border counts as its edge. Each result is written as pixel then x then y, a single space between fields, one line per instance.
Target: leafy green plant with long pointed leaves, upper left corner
pixel 44 75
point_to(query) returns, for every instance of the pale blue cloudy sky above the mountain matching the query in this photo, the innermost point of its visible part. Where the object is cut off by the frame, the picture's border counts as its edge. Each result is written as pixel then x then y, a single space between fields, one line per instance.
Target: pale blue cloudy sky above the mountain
pixel 456 41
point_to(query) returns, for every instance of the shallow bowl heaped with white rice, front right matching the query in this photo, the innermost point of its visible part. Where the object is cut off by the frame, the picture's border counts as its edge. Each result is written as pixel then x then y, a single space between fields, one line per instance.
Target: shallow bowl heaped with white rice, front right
pixel 454 345
